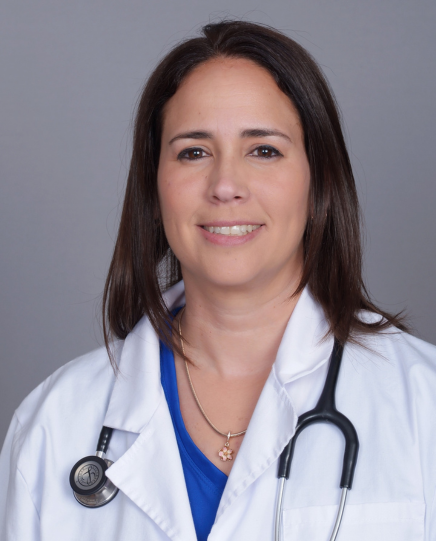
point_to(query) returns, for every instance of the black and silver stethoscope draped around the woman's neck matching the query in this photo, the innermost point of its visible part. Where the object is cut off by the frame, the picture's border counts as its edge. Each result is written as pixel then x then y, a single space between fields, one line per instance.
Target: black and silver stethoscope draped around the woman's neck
pixel 93 489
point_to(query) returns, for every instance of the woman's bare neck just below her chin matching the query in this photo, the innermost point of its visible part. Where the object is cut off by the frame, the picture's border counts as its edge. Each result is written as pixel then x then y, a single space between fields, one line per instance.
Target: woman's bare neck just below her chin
pixel 236 333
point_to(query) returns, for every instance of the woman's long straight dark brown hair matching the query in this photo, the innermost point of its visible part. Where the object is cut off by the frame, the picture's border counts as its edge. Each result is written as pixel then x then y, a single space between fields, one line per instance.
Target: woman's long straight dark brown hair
pixel 143 265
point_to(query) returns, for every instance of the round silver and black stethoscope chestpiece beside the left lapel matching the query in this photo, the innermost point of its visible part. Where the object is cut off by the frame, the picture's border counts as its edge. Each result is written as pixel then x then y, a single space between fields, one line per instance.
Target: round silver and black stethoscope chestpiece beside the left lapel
pixel 88 479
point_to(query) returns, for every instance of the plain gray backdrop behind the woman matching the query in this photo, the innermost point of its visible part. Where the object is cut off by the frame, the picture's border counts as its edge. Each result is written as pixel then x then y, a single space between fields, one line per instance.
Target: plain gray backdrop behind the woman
pixel 71 73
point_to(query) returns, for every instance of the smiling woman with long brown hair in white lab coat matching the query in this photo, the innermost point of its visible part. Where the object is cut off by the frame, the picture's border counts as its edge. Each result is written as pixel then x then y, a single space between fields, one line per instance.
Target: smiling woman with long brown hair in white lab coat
pixel 240 184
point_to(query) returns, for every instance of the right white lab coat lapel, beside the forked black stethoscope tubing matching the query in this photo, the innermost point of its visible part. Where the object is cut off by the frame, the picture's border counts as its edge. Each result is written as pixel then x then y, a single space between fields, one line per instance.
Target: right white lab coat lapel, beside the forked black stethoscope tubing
pixel 303 349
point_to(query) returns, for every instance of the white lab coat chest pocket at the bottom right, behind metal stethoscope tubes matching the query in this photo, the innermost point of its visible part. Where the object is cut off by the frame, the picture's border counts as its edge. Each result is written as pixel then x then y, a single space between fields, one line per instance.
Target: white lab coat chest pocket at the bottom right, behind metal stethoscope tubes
pixel 396 521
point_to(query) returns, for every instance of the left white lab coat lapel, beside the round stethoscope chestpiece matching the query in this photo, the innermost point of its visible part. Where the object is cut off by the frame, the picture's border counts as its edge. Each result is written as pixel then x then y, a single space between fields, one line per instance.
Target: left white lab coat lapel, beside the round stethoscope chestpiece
pixel 150 472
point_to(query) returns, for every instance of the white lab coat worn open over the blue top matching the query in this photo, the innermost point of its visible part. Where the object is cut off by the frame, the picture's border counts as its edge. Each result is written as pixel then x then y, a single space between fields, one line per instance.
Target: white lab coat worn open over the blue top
pixel 388 392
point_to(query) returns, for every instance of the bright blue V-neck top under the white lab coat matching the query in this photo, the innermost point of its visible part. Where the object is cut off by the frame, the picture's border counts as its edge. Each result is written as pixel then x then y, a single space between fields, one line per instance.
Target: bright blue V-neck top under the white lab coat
pixel 204 481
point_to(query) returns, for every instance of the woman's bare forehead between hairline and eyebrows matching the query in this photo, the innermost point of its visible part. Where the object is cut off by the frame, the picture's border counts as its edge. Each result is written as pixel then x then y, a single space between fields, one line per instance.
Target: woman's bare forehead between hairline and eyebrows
pixel 229 91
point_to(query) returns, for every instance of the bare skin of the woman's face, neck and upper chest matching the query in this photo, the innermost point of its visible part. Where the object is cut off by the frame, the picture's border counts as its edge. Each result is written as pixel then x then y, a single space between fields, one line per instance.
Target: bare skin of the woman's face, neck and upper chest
pixel 232 151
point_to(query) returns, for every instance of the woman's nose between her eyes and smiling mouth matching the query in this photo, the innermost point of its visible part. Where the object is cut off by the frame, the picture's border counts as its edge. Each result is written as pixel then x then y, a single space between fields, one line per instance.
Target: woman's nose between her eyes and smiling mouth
pixel 227 181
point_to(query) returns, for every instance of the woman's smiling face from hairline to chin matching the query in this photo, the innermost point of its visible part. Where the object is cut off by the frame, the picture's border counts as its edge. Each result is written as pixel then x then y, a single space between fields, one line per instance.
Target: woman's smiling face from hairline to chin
pixel 233 177
